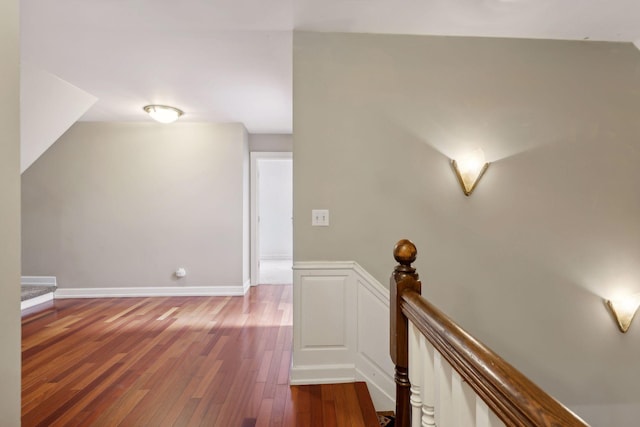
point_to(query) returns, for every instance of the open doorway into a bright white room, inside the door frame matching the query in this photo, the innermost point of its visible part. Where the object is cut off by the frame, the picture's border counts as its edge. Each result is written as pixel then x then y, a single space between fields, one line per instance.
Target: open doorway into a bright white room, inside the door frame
pixel 271 218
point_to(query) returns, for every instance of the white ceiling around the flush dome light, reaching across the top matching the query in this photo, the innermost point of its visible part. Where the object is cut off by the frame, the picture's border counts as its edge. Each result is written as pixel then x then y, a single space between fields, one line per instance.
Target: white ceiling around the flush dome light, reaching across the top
pixel 230 60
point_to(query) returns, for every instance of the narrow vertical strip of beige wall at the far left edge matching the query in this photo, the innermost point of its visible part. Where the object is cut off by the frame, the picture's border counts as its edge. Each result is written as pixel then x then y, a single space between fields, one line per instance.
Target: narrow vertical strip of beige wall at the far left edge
pixel 9 215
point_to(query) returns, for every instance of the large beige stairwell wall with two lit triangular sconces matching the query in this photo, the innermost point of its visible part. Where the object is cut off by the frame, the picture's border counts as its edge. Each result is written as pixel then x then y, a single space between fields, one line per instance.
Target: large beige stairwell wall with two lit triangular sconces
pixel 553 227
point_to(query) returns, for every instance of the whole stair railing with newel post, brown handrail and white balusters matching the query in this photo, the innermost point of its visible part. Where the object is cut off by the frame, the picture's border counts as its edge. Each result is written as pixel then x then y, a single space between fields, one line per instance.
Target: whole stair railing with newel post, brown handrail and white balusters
pixel 446 377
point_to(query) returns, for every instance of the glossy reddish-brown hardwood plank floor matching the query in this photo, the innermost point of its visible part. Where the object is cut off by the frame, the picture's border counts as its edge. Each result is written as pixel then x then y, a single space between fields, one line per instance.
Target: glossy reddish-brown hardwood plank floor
pixel 187 361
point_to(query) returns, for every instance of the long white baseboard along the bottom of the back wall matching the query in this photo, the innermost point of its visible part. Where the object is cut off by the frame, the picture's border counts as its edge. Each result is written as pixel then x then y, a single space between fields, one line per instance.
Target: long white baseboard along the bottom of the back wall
pixel 190 291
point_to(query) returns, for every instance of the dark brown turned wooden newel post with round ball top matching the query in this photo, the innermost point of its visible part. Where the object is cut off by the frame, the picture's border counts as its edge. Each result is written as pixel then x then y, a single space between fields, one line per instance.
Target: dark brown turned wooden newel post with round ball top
pixel 404 277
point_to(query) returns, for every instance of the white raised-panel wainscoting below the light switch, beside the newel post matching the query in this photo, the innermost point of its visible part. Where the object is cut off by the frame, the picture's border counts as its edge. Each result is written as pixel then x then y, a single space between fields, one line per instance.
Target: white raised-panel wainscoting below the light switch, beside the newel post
pixel 341 329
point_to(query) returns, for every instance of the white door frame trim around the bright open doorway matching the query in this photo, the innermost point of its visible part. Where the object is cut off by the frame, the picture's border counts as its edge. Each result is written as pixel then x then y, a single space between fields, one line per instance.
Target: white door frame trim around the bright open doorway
pixel 256 156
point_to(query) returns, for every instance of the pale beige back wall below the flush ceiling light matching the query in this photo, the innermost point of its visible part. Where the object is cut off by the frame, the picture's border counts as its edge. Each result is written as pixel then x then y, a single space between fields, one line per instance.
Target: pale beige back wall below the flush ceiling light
pixel 125 204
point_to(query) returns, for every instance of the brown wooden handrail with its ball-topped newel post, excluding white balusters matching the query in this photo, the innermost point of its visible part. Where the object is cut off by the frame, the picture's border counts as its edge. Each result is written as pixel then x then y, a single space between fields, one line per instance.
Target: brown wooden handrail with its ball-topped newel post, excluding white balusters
pixel 515 399
